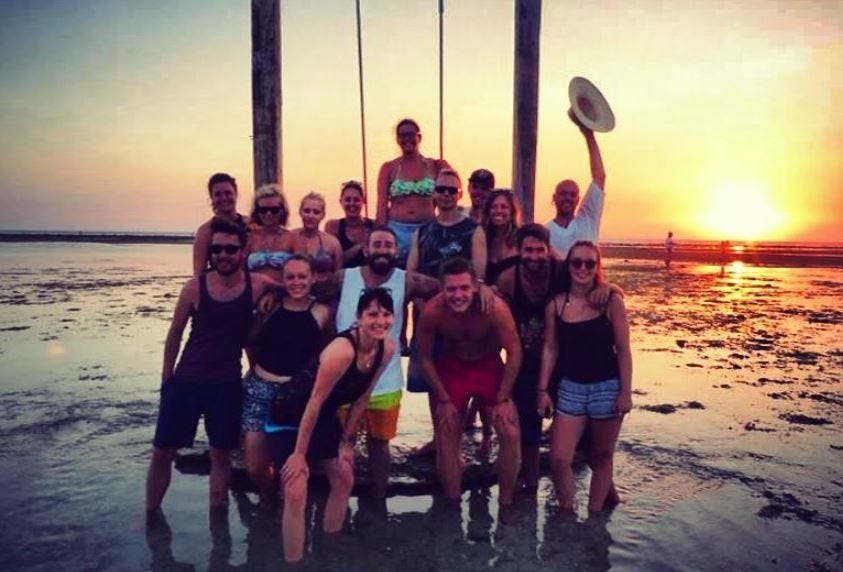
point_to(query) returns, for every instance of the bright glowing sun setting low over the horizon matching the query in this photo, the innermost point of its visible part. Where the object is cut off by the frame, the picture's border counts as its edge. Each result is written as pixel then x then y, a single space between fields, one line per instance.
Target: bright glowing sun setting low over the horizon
pixel 740 210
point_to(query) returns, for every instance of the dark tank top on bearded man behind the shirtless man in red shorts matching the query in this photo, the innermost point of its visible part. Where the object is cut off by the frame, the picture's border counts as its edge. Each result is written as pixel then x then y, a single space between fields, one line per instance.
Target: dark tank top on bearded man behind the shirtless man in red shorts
pixel 529 319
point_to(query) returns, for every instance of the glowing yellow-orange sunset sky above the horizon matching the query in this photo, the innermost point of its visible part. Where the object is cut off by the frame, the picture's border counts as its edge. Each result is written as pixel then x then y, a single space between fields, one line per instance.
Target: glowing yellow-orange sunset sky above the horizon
pixel 112 117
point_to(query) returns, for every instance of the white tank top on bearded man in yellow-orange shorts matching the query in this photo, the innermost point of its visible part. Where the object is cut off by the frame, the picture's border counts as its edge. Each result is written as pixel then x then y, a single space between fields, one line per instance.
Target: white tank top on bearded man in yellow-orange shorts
pixel 392 378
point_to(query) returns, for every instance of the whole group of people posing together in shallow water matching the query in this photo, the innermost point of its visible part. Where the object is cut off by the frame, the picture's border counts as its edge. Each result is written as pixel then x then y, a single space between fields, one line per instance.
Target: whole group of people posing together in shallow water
pixel 321 315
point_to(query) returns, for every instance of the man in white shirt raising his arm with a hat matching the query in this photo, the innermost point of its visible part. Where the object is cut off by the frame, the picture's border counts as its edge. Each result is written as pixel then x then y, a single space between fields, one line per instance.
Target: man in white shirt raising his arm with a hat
pixel 572 224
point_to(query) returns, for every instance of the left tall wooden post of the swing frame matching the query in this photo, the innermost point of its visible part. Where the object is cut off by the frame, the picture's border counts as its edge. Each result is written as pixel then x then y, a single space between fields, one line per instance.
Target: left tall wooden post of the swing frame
pixel 266 91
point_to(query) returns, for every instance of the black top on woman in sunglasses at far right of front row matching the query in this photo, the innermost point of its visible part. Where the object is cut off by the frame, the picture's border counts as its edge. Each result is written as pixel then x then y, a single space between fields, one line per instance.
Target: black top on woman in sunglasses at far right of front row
pixel 586 350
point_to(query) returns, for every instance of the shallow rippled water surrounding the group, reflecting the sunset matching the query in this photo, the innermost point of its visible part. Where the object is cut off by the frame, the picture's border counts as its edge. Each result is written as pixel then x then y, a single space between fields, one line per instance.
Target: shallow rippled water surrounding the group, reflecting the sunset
pixel 732 457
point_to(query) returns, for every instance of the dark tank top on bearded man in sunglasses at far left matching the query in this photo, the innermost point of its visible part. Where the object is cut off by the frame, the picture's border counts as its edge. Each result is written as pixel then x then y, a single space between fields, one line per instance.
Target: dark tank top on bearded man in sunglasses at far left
pixel 217 335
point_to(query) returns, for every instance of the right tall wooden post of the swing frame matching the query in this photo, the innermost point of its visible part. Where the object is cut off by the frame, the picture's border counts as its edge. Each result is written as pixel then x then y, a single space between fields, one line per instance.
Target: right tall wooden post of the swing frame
pixel 526 109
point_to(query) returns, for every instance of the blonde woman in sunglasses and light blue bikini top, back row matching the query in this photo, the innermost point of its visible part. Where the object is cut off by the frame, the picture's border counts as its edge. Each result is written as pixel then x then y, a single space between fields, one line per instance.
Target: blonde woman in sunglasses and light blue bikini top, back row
pixel 266 248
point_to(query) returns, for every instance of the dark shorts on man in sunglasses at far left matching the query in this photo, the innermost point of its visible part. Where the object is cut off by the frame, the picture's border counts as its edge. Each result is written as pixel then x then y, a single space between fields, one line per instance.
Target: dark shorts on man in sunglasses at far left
pixel 184 401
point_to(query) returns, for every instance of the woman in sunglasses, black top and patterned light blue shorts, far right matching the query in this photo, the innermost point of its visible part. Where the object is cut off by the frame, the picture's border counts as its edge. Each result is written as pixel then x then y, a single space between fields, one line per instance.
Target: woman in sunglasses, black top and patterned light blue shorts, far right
pixel 588 351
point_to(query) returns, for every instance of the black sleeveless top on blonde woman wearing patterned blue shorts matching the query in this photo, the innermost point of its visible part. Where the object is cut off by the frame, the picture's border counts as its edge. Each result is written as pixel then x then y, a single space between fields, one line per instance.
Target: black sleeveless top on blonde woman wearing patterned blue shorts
pixel 288 341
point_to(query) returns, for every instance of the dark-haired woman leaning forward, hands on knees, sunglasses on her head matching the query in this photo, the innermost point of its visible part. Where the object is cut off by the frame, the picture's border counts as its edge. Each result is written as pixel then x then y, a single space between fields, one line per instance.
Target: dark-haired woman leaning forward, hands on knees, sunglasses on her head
pixel 305 427
